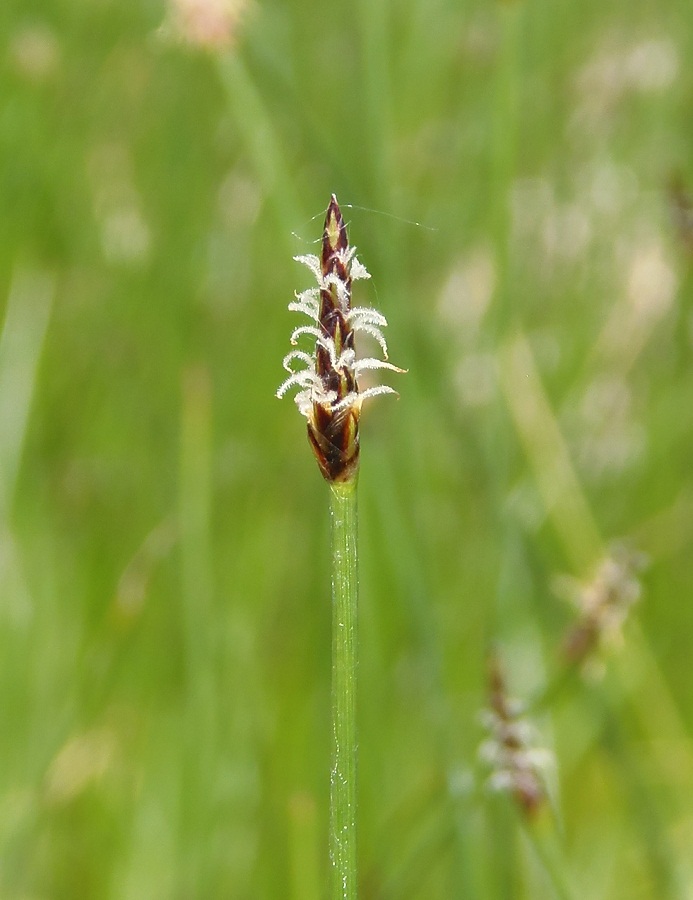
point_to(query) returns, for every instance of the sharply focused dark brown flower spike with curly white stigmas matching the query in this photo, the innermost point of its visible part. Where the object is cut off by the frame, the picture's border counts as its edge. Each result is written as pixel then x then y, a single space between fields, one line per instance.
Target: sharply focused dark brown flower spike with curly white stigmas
pixel 329 395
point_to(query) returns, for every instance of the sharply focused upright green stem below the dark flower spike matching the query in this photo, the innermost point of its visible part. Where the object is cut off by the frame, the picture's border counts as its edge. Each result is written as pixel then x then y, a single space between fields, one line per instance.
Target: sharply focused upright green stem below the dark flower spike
pixel 344 520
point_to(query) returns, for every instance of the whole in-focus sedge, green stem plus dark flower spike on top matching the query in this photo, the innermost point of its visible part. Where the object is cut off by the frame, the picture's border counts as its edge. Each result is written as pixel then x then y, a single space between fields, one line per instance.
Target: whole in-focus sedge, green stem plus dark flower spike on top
pixel 329 397
